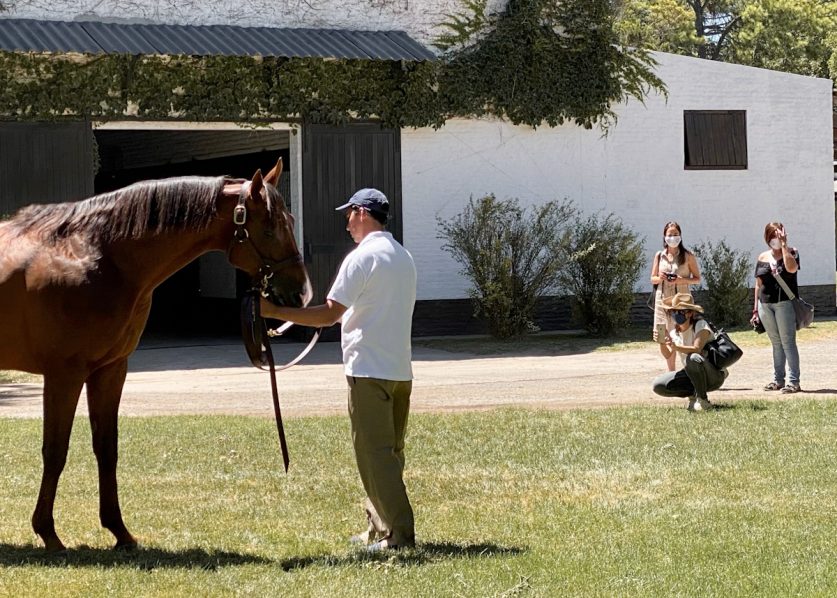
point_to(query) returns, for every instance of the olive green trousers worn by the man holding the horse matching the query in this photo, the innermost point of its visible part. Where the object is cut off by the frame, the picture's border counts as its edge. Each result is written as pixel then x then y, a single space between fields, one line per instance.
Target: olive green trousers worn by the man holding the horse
pixel 378 412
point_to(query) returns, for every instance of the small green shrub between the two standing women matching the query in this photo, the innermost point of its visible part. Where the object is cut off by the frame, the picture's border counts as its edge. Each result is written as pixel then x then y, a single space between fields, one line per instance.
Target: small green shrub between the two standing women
pixel 725 273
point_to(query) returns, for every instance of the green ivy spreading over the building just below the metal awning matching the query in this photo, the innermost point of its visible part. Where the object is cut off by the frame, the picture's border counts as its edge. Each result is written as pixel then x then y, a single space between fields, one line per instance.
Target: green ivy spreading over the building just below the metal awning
pixel 520 68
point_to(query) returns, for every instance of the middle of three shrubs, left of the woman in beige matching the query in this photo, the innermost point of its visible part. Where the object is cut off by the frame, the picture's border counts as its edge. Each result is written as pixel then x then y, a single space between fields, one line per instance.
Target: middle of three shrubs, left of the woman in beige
pixel 602 270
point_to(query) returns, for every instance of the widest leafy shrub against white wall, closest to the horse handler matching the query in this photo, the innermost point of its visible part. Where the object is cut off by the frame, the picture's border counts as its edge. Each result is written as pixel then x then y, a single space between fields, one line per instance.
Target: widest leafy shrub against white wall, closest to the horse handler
pixel 510 255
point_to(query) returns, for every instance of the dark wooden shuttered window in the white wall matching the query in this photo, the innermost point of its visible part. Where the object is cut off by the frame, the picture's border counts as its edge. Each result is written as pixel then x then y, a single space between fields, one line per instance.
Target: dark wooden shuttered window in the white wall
pixel 715 139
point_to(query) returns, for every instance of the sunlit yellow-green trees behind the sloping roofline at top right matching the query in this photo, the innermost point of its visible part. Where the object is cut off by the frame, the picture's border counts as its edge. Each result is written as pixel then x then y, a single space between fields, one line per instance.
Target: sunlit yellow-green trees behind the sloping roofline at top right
pixel 789 35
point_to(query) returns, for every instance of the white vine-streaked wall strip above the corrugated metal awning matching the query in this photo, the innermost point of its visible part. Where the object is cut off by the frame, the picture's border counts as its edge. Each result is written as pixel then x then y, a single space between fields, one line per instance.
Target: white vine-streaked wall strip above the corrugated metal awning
pixel 420 19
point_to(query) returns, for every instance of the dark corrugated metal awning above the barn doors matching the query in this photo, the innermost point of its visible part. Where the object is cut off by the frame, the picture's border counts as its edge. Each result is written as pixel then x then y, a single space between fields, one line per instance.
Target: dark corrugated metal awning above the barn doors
pixel 97 37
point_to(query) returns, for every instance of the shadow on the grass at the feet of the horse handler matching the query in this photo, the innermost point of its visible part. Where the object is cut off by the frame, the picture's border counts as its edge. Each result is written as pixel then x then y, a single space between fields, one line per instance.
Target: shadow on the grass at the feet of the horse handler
pixel 424 553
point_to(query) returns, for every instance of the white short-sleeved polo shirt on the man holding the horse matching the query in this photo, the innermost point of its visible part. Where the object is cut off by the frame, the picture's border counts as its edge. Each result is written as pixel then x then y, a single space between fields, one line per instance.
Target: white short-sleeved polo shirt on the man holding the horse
pixel 377 284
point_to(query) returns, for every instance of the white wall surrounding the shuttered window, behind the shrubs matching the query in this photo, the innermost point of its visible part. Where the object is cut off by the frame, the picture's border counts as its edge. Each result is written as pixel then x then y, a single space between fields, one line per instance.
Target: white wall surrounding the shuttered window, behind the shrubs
pixel 637 171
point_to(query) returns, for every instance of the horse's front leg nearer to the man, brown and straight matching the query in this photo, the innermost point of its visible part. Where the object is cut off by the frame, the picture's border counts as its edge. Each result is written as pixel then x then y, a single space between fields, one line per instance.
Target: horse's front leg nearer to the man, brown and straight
pixel 104 390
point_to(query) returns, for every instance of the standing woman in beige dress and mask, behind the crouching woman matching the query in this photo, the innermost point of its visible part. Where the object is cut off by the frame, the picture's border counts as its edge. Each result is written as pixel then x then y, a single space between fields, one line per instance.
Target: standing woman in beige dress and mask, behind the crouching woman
pixel 674 269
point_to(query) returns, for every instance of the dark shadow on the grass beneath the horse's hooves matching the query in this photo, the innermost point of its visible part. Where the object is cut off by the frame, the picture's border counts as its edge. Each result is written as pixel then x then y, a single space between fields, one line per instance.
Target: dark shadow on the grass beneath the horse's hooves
pixel 144 559
